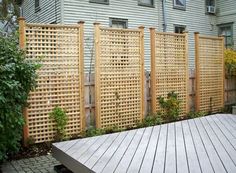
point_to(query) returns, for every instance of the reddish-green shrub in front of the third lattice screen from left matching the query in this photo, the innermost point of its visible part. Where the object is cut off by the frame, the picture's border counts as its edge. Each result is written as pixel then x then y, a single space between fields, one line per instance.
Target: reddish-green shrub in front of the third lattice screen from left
pixel 170 106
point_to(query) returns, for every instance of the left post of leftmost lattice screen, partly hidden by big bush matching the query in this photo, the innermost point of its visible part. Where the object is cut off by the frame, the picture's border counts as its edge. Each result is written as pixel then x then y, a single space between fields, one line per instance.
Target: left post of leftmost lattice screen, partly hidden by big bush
pixel 22 43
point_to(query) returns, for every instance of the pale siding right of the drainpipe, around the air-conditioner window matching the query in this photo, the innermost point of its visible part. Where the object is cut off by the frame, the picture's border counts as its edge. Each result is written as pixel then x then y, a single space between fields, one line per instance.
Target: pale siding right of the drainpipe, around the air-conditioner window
pixel 194 18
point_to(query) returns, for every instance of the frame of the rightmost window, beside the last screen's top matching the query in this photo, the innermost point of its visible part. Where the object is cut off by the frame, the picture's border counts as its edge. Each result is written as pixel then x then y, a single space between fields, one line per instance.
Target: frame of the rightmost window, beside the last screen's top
pixel 224 25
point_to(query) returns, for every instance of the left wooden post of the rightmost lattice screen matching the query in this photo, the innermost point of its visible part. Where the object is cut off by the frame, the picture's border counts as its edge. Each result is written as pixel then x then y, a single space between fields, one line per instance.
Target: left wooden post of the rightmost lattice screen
pixel 197 72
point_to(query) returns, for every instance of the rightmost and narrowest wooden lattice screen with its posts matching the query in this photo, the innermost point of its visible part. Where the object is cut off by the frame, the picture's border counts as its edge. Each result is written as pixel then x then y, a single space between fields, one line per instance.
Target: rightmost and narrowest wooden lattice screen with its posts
pixel 209 73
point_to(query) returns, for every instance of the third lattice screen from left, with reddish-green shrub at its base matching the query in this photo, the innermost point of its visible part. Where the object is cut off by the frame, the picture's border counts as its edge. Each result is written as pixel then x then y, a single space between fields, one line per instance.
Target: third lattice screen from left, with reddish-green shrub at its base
pixel 169 68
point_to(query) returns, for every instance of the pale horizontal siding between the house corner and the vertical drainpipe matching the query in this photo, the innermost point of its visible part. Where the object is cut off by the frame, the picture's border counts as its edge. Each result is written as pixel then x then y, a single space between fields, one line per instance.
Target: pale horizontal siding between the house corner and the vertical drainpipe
pixel 76 10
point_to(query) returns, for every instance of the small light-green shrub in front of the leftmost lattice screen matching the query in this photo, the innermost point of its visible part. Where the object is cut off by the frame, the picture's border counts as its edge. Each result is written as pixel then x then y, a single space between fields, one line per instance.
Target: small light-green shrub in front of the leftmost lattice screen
pixel 58 115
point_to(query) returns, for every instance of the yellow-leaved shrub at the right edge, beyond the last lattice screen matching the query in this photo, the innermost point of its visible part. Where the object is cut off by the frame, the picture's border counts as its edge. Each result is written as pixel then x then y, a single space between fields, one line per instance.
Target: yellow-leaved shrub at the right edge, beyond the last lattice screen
pixel 230 61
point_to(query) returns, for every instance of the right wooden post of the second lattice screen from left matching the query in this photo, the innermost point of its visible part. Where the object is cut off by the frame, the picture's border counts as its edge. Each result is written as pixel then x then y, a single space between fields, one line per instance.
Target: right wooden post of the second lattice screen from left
pixel 142 71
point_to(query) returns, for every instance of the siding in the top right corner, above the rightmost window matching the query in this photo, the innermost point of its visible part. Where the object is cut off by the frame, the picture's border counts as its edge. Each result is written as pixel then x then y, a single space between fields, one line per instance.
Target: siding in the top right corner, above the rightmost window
pixel 226 13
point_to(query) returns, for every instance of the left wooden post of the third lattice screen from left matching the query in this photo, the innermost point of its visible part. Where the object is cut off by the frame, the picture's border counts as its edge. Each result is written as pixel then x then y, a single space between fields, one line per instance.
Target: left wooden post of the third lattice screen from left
pixel 153 70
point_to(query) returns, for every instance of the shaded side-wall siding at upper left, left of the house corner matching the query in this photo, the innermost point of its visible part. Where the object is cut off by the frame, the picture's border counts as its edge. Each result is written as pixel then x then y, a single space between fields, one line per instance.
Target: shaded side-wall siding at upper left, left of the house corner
pixel 49 11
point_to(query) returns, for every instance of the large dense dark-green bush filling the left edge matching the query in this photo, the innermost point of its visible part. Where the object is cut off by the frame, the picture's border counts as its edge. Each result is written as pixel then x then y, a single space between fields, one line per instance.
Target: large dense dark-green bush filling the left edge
pixel 17 79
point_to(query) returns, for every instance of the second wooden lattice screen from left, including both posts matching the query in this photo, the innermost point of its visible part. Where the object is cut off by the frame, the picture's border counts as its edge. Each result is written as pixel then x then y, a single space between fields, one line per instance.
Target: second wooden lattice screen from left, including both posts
pixel 119 78
